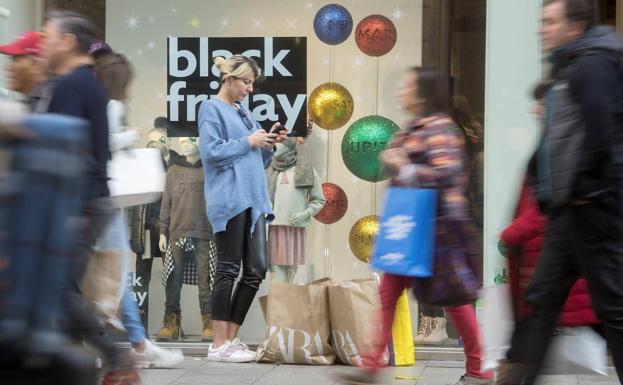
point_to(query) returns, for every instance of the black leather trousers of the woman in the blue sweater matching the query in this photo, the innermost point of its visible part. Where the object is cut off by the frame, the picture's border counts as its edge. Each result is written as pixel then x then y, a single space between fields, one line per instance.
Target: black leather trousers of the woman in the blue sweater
pixel 237 246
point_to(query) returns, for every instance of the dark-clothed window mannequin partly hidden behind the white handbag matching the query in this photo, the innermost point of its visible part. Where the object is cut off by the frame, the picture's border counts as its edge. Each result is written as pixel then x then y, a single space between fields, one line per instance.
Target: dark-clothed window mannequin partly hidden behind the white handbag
pixel 147 218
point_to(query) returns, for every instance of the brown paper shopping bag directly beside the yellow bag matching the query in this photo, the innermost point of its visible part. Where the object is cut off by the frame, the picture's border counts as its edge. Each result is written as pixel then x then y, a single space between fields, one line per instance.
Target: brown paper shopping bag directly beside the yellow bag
pixel 354 308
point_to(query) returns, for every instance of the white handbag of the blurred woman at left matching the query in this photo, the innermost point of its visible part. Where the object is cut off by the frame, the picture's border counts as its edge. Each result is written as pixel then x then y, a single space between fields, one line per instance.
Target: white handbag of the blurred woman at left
pixel 136 177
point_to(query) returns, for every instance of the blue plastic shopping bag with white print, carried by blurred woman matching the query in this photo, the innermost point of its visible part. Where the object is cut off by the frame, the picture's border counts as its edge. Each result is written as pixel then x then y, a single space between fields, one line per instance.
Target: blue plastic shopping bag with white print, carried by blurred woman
pixel 406 239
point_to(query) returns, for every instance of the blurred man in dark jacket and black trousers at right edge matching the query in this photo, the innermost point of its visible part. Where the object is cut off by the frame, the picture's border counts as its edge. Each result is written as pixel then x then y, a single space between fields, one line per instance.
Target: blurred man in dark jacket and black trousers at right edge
pixel 578 178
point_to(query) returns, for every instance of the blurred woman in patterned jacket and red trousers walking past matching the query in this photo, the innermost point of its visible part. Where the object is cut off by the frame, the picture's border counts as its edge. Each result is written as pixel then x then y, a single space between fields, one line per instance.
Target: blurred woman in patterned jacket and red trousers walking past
pixel 430 154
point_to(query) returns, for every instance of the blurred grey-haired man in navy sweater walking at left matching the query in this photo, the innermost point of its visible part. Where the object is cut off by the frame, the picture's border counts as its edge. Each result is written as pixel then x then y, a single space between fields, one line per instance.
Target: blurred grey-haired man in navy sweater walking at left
pixel 65 46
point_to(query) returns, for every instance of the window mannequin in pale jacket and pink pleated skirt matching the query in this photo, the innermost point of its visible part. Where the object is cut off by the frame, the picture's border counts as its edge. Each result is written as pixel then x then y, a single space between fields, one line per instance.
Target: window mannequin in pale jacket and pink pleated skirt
pixel 296 195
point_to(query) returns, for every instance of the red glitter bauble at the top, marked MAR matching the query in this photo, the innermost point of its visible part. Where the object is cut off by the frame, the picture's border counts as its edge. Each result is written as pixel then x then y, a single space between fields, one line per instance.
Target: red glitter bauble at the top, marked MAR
pixel 375 35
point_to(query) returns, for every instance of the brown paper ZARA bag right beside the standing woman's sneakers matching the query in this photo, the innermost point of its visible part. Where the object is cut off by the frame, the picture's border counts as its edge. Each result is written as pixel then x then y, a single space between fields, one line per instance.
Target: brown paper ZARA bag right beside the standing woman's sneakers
pixel 298 329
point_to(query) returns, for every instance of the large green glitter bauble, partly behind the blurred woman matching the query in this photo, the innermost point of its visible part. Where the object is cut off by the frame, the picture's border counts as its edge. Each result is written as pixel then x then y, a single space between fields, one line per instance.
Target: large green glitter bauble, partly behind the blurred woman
pixel 363 142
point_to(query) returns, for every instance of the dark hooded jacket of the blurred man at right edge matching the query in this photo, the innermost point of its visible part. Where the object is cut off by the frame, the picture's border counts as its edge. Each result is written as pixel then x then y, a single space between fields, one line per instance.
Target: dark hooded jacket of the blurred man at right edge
pixel 579 156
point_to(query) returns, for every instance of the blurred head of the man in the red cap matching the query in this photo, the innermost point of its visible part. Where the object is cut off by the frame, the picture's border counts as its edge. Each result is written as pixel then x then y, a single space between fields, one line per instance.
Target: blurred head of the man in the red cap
pixel 26 73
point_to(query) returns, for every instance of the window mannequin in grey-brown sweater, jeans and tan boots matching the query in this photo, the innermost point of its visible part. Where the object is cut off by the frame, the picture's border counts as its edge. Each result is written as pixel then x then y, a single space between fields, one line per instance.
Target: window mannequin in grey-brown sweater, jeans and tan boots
pixel 184 231
